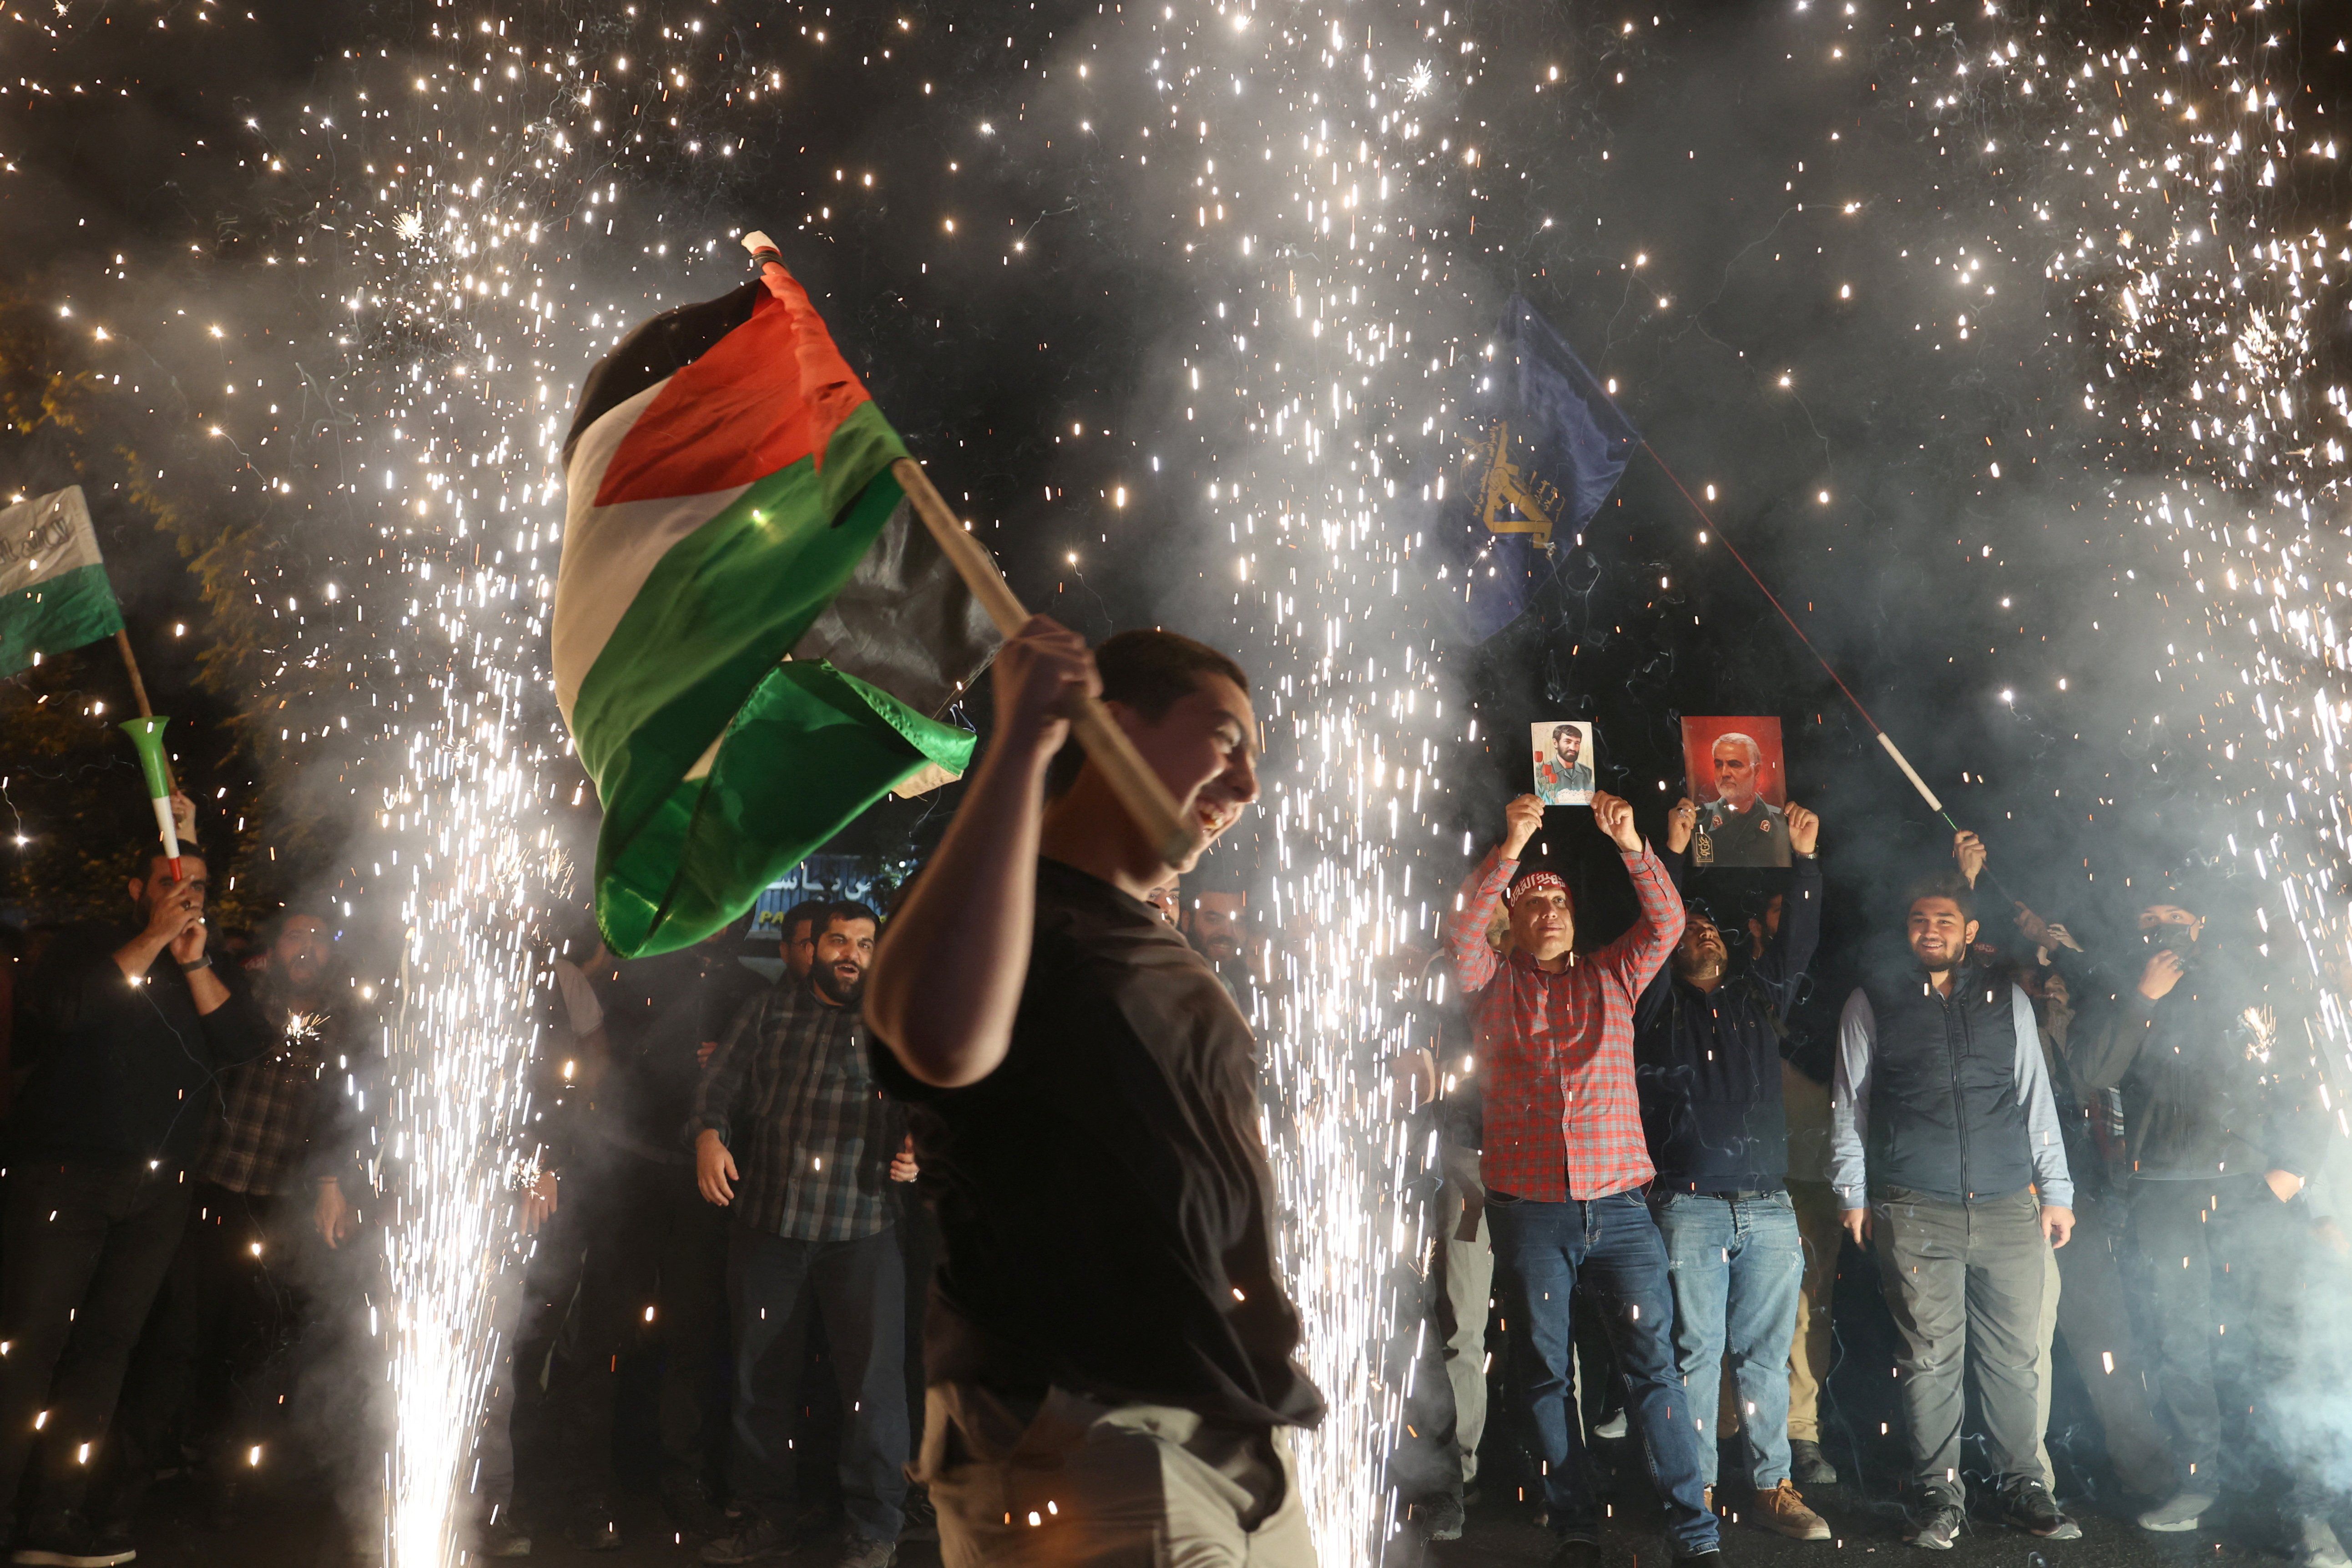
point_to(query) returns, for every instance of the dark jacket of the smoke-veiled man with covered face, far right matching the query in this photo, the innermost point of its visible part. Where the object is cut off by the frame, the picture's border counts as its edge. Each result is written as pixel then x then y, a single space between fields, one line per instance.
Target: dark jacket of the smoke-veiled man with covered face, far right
pixel 2200 1092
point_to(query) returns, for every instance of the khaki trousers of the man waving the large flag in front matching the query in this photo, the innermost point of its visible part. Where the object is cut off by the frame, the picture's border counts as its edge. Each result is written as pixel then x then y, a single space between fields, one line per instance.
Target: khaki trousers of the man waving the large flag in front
pixel 1083 1485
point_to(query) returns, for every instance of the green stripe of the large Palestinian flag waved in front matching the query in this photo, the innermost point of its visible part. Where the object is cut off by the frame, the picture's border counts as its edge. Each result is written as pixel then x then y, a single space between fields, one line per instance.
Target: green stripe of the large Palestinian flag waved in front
pixel 697 655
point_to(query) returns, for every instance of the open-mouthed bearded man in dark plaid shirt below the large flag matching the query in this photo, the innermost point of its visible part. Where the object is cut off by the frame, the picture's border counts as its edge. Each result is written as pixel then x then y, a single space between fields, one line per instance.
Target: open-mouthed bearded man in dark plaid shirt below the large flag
pixel 794 1139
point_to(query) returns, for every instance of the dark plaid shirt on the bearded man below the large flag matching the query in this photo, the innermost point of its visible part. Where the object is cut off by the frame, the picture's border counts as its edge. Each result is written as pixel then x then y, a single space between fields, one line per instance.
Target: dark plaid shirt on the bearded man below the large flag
pixel 803 1118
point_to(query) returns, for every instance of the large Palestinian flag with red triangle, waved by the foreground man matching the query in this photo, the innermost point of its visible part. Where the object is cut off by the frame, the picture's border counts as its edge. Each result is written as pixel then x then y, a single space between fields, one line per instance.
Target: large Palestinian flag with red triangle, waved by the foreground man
pixel 756 638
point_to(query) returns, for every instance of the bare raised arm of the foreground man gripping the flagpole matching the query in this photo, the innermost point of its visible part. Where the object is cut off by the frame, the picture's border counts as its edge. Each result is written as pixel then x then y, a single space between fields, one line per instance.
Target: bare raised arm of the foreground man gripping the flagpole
pixel 949 974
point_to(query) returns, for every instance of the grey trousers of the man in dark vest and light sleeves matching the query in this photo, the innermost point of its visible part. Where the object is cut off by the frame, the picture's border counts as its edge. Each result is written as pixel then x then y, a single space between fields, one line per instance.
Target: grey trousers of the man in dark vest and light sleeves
pixel 1965 1287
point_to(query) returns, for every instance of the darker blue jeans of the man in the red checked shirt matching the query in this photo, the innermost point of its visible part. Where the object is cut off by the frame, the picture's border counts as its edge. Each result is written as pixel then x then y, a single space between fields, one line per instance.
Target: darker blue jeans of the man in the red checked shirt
pixel 1612 1249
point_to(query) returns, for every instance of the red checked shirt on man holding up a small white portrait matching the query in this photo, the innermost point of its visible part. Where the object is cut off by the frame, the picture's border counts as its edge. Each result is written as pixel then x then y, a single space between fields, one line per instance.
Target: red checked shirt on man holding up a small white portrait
pixel 1563 1118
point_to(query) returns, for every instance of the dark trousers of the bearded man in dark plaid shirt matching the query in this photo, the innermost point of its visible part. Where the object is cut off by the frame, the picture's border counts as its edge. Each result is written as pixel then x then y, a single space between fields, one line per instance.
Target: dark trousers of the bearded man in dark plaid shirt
pixel 857 1289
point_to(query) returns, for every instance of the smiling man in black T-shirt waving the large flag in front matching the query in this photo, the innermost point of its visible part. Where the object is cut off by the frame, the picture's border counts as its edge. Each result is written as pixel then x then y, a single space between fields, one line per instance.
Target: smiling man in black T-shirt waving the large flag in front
pixel 1111 1353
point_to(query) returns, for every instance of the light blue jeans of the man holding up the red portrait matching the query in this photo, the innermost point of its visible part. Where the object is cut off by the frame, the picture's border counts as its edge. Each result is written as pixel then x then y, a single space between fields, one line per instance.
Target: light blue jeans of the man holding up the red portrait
pixel 1735 1268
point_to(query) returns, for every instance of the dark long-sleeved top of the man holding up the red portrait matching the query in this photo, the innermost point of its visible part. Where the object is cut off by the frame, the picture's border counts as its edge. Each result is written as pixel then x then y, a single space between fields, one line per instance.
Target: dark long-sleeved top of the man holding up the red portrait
pixel 1709 1064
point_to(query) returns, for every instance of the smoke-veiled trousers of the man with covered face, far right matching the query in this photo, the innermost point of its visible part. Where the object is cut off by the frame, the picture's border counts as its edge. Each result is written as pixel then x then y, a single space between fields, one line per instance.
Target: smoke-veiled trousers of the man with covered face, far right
pixel 2221 1254
